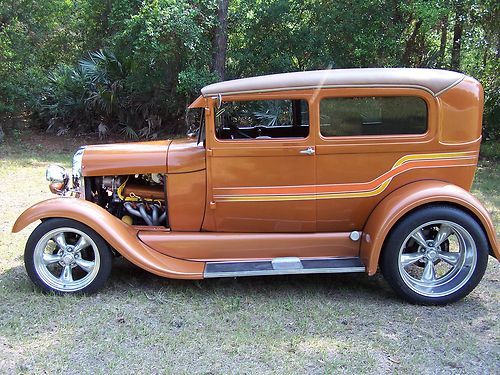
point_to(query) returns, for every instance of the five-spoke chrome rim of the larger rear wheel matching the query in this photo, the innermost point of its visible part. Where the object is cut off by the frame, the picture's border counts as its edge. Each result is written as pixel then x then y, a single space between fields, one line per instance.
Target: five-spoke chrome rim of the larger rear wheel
pixel 437 258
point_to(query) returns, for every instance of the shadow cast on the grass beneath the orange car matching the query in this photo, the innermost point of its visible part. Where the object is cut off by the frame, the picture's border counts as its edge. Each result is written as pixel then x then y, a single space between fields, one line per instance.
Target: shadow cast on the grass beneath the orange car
pixel 348 288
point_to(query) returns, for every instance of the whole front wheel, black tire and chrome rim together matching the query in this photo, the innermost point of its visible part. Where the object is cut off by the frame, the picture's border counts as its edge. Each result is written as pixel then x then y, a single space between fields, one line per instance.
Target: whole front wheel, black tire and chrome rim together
pixel 95 258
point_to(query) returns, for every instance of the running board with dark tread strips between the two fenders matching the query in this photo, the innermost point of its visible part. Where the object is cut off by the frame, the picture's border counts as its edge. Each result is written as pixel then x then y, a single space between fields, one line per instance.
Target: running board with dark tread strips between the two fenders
pixel 283 266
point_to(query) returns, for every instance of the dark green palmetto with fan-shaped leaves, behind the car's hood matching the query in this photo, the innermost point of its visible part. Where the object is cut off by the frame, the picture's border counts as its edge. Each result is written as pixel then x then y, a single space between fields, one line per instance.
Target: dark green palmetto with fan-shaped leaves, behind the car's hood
pixel 93 97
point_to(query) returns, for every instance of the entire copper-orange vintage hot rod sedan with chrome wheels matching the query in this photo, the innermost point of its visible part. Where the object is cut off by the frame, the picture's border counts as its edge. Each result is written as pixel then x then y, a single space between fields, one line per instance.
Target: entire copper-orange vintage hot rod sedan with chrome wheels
pixel 311 172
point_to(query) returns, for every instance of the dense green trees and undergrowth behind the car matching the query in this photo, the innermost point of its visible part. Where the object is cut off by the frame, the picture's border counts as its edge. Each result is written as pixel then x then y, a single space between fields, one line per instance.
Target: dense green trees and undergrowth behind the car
pixel 131 66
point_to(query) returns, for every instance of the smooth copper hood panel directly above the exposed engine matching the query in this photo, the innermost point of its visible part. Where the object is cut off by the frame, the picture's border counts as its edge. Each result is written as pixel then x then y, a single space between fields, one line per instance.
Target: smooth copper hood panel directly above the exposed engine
pixel 125 158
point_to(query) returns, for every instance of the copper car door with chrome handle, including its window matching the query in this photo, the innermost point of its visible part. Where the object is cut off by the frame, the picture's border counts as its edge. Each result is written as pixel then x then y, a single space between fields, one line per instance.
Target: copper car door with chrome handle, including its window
pixel 261 165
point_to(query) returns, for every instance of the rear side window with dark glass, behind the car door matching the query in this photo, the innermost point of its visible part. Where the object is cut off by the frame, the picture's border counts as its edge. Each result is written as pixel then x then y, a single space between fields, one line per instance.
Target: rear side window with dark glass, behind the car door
pixel 384 115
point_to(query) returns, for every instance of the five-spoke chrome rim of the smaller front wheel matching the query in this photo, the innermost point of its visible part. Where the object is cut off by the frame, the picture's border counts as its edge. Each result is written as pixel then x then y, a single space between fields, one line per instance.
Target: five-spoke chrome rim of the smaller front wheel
pixel 66 259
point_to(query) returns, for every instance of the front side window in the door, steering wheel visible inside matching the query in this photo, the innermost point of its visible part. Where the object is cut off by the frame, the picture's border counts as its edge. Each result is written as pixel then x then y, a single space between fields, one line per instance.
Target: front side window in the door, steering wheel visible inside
pixel 262 119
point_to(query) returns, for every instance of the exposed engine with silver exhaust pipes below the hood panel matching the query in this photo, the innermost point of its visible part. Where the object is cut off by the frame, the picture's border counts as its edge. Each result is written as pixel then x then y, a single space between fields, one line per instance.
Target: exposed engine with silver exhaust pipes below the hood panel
pixel 135 199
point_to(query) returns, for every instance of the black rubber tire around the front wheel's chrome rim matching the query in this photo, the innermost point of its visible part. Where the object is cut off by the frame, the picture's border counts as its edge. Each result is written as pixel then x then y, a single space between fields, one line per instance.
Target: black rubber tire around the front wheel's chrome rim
pixel 47 225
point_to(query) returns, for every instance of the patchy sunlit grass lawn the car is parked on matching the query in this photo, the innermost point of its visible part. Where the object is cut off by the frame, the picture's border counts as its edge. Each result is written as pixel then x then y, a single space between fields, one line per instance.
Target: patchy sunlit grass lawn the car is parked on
pixel 140 323
